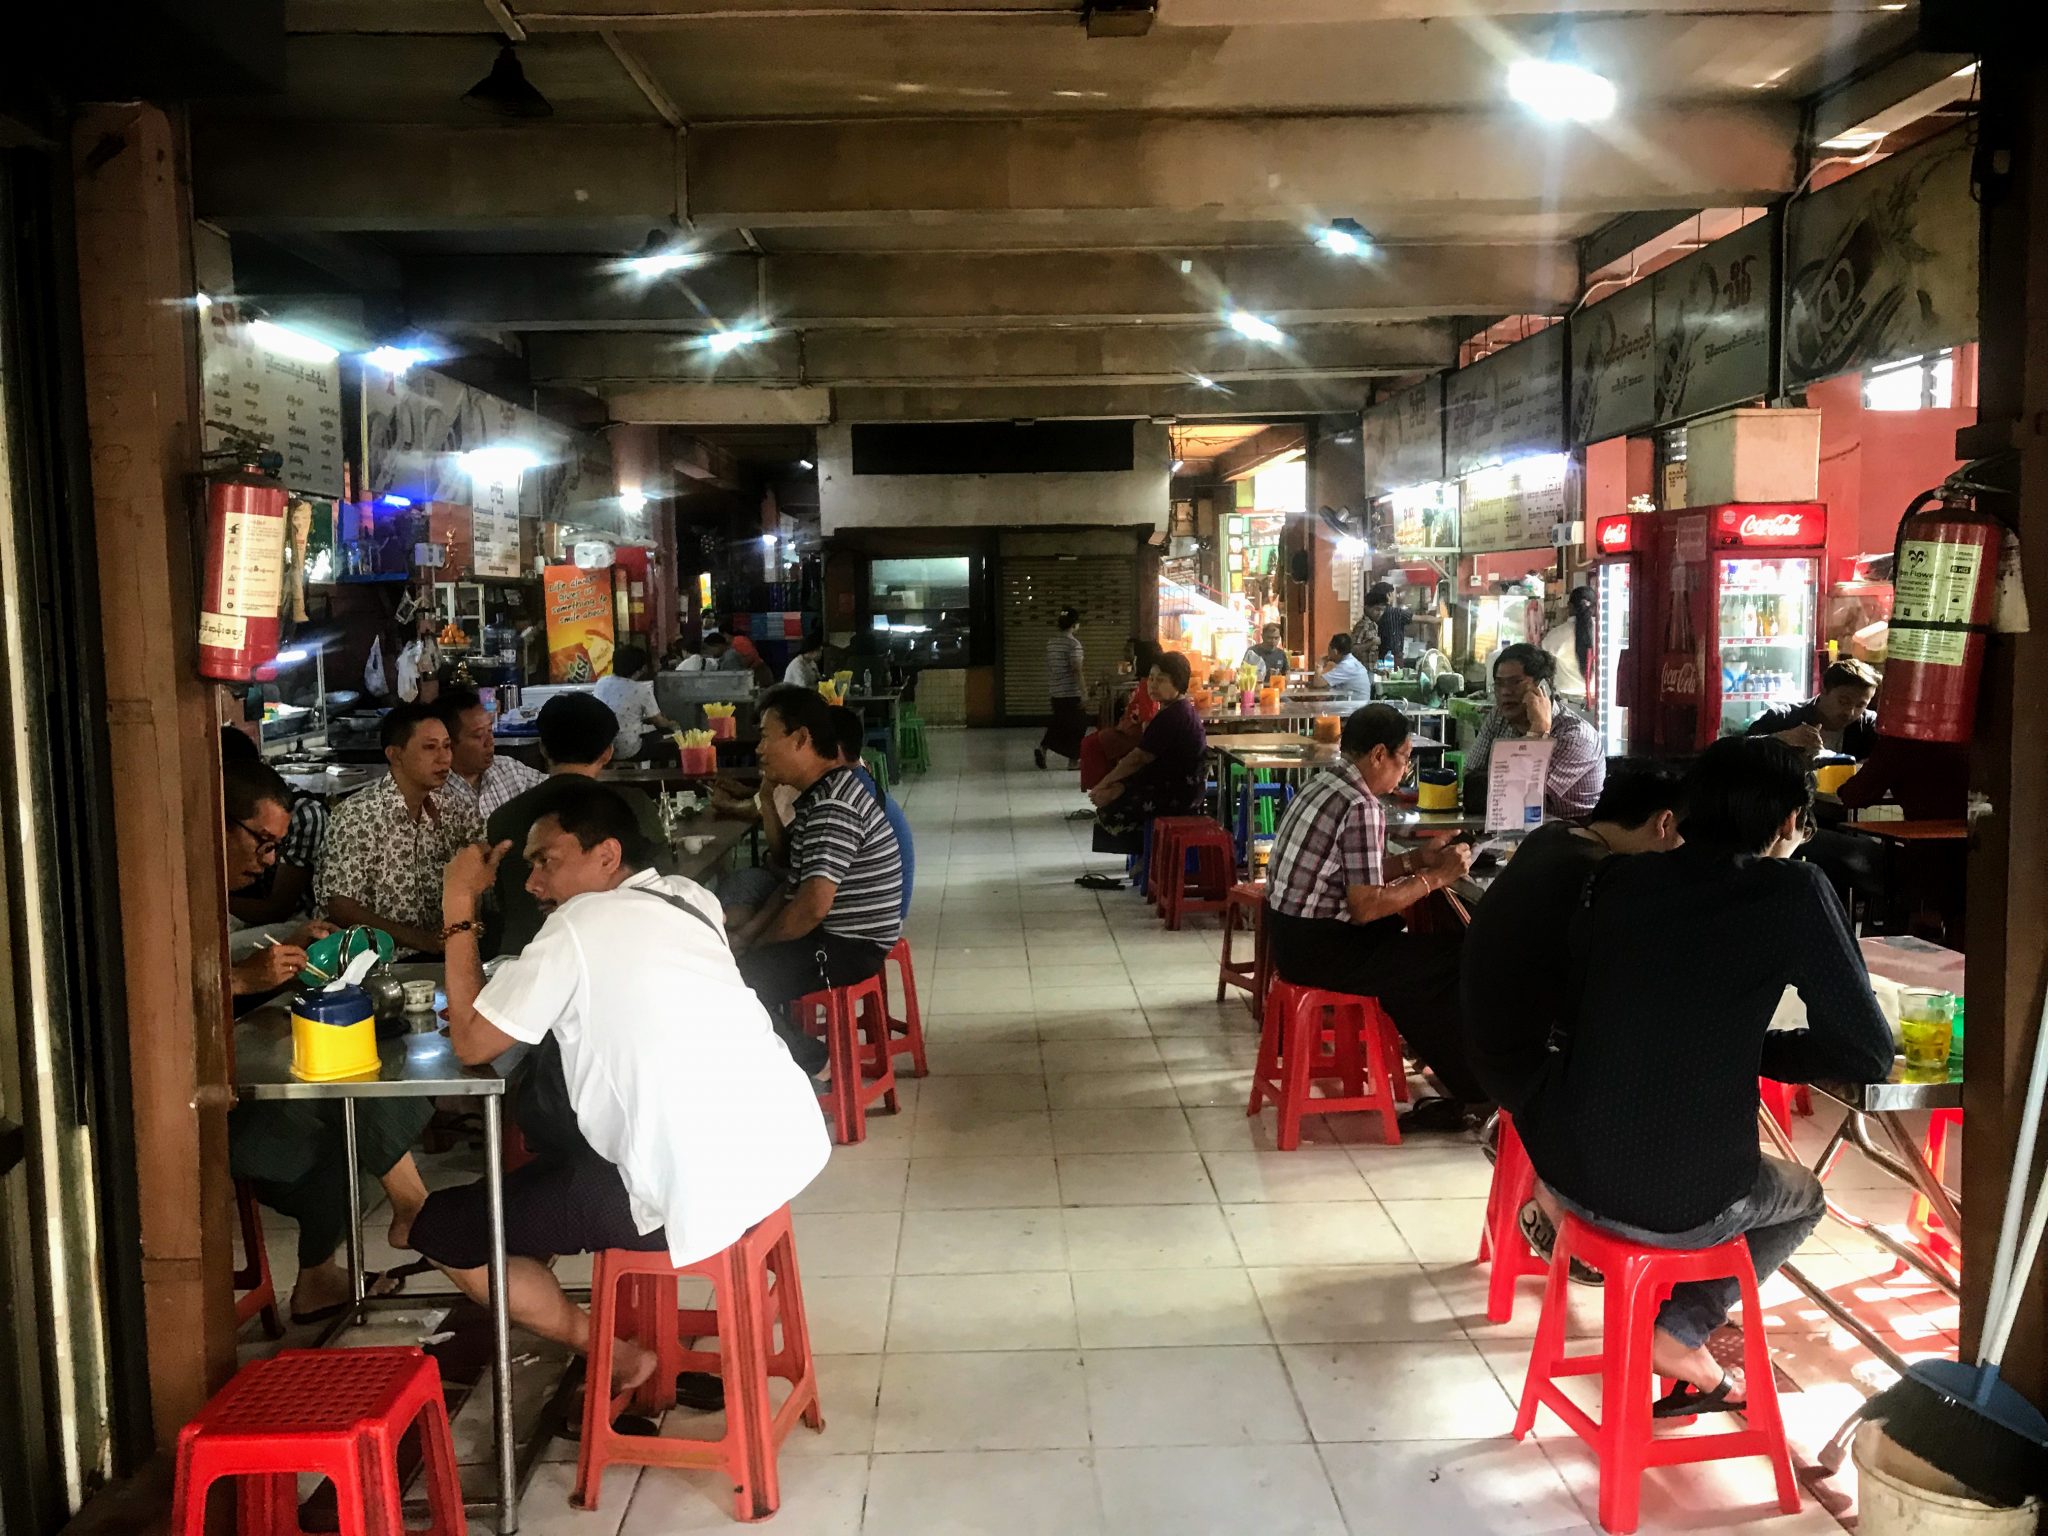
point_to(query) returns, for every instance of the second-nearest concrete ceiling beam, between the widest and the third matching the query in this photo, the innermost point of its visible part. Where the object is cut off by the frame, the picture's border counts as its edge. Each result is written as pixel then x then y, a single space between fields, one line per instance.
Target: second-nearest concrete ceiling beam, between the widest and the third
pixel 974 288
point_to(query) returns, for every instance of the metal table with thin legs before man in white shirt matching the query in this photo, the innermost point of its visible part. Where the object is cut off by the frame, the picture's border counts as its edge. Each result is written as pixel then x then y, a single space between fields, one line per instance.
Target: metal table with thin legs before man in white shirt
pixel 419 1064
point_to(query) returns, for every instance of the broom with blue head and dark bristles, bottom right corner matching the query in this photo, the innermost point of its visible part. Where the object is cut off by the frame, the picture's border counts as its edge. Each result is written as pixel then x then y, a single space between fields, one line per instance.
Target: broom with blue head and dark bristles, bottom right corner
pixel 1963 1420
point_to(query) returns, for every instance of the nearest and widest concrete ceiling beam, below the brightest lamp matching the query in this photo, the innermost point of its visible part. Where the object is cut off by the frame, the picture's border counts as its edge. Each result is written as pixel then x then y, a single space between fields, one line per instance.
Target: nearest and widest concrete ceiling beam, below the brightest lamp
pixel 1037 171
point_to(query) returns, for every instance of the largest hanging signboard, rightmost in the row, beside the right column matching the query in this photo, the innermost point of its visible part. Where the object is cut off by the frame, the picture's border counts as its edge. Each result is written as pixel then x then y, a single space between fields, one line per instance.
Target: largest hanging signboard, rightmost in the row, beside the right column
pixel 1883 265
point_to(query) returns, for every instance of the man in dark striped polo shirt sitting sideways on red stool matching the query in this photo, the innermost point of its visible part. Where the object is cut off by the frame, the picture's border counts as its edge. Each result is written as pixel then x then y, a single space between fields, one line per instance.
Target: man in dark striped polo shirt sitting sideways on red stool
pixel 843 906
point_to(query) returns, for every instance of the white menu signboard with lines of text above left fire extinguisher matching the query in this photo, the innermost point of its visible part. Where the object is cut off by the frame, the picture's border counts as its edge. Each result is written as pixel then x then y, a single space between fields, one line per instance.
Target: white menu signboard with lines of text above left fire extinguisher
pixel 288 404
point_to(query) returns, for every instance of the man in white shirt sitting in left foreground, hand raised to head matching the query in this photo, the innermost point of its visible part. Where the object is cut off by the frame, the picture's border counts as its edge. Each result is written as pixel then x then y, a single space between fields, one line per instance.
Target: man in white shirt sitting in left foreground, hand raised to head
pixel 693 1119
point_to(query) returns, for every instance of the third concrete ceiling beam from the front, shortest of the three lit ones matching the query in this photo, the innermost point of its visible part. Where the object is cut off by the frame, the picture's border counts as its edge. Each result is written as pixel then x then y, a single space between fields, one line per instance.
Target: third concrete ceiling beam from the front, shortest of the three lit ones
pixel 1095 355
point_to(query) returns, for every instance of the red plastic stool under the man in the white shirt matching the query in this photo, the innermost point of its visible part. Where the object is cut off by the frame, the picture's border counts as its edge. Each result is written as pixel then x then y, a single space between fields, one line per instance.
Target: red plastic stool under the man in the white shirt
pixel 755 1285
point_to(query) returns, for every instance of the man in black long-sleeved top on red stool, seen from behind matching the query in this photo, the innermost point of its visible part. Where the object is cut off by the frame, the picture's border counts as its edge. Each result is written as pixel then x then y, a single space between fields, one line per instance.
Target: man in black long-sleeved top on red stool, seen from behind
pixel 1648 1123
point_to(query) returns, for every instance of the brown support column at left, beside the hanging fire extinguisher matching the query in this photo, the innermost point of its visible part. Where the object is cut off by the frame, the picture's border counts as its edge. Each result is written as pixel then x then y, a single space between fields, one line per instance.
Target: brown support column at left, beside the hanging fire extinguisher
pixel 142 413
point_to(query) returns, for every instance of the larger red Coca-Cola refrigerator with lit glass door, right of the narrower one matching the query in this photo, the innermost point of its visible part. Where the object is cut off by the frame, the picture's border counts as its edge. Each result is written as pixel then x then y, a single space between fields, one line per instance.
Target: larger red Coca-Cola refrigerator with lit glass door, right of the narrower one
pixel 1740 615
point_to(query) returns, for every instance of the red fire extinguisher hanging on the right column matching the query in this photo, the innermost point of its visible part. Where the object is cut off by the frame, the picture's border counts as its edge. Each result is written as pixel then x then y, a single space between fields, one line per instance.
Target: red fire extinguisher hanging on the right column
pixel 1945 591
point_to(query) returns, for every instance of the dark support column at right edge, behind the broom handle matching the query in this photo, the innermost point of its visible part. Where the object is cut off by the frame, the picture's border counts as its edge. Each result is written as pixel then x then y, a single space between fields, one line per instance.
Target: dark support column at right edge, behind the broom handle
pixel 2008 914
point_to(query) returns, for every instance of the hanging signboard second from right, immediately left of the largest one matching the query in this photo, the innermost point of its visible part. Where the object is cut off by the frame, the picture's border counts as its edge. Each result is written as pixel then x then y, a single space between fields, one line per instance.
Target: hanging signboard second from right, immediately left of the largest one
pixel 1715 325
